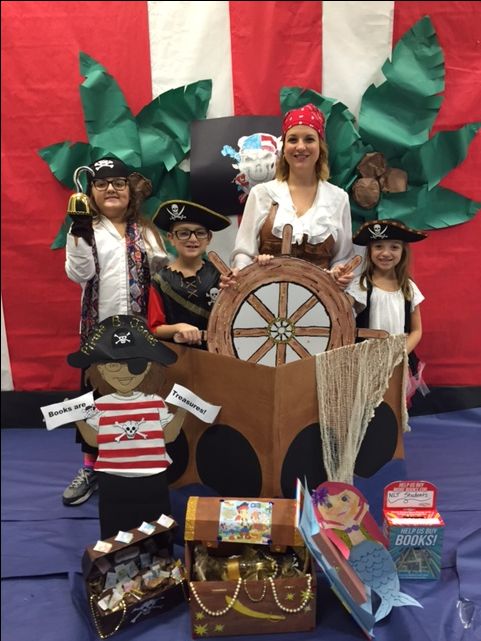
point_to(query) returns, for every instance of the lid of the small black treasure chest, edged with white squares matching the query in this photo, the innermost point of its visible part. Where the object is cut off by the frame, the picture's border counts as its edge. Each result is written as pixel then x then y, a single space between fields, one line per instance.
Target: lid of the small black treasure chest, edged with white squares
pixel 95 555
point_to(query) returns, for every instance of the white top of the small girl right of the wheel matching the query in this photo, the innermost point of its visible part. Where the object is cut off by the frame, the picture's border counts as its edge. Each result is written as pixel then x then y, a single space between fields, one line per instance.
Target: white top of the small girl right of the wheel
pixel 386 309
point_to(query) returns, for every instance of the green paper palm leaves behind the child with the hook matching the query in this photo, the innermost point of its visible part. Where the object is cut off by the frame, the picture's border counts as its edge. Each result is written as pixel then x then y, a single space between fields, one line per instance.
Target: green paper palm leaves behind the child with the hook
pixel 154 142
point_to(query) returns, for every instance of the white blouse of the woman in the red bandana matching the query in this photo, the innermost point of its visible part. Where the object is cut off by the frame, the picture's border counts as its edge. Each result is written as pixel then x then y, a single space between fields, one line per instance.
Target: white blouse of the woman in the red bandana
pixel 329 214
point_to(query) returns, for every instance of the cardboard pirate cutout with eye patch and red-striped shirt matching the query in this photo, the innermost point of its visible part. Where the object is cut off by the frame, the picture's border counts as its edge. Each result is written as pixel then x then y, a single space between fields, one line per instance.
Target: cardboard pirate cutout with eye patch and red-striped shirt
pixel 131 424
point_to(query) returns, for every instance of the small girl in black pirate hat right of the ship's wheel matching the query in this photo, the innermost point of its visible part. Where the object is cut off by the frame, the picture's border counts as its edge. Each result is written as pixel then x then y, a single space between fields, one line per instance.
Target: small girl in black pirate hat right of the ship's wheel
pixel 384 295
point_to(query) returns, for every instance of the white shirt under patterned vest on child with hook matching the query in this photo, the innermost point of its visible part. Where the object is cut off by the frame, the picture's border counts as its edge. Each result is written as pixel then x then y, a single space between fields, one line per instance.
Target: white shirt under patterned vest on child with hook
pixel 114 290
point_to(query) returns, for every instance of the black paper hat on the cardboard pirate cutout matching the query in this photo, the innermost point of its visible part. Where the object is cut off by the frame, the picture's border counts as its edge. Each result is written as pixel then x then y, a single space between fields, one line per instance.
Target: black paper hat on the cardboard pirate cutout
pixel 122 338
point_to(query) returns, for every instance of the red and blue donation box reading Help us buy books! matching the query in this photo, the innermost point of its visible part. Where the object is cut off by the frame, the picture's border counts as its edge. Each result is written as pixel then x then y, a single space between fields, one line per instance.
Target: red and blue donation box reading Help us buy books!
pixel 414 529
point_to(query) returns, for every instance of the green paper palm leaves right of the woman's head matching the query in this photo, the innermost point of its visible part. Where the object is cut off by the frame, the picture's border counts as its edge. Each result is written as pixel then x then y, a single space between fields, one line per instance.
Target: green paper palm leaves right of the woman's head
pixel 396 119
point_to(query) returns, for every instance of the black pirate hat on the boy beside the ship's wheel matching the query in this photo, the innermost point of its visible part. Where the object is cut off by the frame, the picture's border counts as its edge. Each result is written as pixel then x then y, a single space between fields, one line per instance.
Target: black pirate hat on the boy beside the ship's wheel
pixel 184 211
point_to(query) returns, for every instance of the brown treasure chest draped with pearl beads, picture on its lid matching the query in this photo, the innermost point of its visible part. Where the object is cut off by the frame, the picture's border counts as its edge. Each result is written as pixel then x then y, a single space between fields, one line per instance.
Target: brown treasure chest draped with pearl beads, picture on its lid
pixel 247 568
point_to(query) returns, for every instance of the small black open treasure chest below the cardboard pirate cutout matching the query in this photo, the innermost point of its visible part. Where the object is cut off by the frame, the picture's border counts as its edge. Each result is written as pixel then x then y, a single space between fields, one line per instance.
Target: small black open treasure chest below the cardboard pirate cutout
pixel 132 576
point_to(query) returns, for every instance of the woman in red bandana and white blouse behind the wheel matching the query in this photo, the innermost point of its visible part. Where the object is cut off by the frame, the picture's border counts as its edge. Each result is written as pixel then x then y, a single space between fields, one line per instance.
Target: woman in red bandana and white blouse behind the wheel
pixel 300 196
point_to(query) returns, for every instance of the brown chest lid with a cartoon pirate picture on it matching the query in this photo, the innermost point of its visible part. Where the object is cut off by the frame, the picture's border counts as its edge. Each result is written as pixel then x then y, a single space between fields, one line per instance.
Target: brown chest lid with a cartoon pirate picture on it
pixel 214 520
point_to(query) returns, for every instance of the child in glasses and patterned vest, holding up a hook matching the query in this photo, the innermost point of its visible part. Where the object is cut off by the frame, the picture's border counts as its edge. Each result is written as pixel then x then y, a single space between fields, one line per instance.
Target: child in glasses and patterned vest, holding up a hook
pixel 111 254
